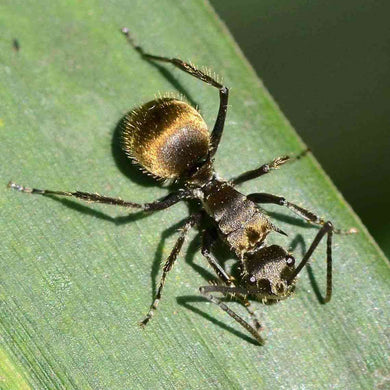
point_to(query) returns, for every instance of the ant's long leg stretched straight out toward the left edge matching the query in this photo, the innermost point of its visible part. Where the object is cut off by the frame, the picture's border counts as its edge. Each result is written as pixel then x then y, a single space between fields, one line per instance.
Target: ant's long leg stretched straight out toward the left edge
pixel 167 201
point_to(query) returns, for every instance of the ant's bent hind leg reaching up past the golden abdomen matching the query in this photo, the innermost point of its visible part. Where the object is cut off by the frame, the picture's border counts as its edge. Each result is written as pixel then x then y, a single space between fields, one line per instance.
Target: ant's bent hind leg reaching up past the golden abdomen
pixel 193 71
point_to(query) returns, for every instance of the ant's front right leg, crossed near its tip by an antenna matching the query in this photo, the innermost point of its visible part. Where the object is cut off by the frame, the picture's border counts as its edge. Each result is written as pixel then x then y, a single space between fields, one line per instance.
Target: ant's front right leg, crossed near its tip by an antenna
pixel 303 213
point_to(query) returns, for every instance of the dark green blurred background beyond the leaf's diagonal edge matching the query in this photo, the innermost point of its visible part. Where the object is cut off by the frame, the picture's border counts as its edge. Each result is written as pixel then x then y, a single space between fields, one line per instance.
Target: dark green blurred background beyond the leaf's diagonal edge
pixel 327 64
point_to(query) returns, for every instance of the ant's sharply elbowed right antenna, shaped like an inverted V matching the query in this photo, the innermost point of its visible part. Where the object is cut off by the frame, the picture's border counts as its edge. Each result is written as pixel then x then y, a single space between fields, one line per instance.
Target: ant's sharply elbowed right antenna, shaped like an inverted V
pixel 327 228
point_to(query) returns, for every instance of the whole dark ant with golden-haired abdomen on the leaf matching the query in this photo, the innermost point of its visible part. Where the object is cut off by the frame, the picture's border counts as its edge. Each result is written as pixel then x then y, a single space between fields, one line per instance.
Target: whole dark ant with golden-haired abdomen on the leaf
pixel 169 139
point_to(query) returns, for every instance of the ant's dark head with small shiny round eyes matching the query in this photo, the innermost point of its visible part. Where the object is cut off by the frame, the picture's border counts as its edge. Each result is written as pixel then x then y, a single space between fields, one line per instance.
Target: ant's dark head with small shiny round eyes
pixel 267 272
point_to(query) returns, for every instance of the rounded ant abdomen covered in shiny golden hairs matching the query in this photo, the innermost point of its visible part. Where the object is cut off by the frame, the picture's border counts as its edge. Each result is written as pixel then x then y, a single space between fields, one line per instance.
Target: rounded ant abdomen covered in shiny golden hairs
pixel 166 136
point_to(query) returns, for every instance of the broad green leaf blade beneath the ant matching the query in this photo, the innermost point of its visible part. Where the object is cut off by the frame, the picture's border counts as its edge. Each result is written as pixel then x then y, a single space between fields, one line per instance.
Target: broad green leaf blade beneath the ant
pixel 76 278
